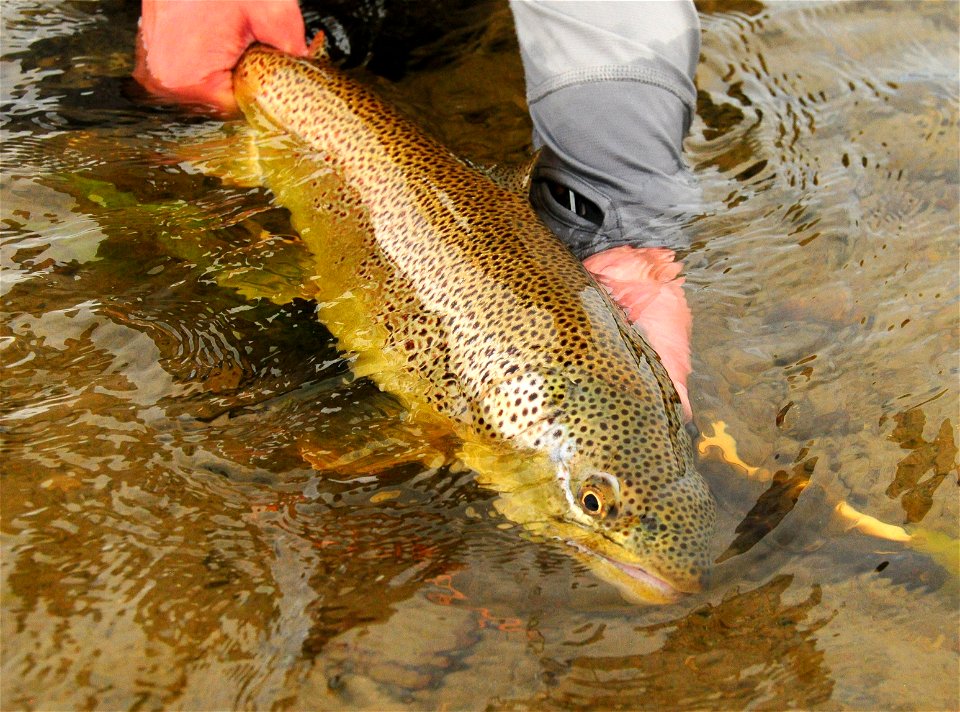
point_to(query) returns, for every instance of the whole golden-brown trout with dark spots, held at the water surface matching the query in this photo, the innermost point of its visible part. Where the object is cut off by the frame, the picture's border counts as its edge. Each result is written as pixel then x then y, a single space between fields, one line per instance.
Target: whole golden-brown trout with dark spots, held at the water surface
pixel 458 300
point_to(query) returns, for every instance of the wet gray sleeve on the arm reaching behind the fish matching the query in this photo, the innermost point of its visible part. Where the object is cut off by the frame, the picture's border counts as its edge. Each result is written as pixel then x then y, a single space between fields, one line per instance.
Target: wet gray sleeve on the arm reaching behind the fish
pixel 611 95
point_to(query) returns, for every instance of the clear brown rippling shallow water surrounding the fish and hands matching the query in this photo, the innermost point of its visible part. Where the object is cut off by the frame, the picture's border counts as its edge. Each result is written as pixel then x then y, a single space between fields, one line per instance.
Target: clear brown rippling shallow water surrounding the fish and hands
pixel 166 542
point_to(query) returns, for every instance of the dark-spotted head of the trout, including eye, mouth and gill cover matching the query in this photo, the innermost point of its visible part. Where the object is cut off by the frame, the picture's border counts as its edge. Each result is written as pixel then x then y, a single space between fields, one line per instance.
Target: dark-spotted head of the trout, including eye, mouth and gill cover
pixel 618 483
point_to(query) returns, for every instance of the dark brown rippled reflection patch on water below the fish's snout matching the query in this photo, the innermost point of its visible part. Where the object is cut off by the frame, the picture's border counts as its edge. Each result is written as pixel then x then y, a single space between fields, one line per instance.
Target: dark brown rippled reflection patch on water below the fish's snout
pixel 758 650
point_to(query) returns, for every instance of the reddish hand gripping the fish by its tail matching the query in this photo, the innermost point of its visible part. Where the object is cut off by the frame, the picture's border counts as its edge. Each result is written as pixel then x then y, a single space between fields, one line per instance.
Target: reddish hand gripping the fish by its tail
pixel 186 49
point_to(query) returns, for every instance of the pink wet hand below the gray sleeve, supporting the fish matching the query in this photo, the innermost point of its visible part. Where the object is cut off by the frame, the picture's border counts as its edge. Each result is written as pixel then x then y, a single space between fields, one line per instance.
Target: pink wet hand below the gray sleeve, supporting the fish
pixel 645 282
